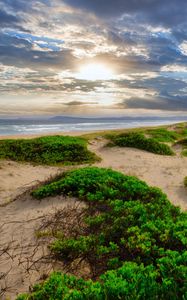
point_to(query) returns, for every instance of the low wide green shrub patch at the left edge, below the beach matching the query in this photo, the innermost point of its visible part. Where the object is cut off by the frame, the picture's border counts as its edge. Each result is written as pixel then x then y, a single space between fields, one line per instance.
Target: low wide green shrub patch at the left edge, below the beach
pixel 48 150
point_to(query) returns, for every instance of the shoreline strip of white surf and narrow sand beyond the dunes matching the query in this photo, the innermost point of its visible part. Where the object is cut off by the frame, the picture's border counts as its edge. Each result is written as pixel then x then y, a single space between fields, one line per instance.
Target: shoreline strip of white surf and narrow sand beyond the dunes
pixel 76 129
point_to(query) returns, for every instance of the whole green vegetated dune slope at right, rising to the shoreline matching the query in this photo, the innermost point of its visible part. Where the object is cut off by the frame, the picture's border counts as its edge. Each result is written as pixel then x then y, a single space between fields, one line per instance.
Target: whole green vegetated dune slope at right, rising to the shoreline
pixel 152 138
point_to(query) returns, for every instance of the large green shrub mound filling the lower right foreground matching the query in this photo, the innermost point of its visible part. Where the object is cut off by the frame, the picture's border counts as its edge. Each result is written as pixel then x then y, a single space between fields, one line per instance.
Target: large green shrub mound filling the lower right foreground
pixel 134 240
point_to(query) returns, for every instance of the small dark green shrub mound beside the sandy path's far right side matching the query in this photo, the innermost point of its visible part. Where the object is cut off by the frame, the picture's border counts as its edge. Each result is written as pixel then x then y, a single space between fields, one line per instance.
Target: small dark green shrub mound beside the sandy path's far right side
pixel 139 141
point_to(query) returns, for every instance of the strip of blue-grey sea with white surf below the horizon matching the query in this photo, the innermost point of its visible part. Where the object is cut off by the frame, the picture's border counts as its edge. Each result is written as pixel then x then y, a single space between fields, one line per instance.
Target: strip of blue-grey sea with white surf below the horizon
pixel 60 124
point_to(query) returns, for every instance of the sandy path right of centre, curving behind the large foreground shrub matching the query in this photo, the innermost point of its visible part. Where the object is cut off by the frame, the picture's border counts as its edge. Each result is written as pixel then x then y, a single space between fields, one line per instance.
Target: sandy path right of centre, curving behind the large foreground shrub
pixel 165 172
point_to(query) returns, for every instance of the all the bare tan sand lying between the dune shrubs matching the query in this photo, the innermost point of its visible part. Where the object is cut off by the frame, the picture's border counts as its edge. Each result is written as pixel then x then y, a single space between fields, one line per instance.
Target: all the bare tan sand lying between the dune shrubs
pixel 20 218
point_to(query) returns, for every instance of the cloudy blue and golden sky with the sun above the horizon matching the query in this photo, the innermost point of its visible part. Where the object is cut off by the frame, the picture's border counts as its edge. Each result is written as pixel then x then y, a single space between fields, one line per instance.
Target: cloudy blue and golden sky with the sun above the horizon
pixel 93 57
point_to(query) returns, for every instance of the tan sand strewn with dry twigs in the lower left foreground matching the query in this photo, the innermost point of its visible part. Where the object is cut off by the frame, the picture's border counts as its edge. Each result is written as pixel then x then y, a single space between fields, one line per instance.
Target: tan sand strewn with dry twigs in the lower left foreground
pixel 19 246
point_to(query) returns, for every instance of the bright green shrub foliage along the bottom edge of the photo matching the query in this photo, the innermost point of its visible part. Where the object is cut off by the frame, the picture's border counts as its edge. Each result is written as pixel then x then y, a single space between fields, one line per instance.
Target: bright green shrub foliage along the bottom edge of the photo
pixel 167 280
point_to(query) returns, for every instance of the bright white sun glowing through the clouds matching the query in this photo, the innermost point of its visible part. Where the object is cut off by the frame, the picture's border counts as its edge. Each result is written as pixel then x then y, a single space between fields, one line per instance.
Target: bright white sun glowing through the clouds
pixel 93 72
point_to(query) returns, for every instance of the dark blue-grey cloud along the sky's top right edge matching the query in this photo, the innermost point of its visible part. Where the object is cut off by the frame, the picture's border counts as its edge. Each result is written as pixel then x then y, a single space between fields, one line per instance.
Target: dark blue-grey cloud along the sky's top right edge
pixel 167 12
